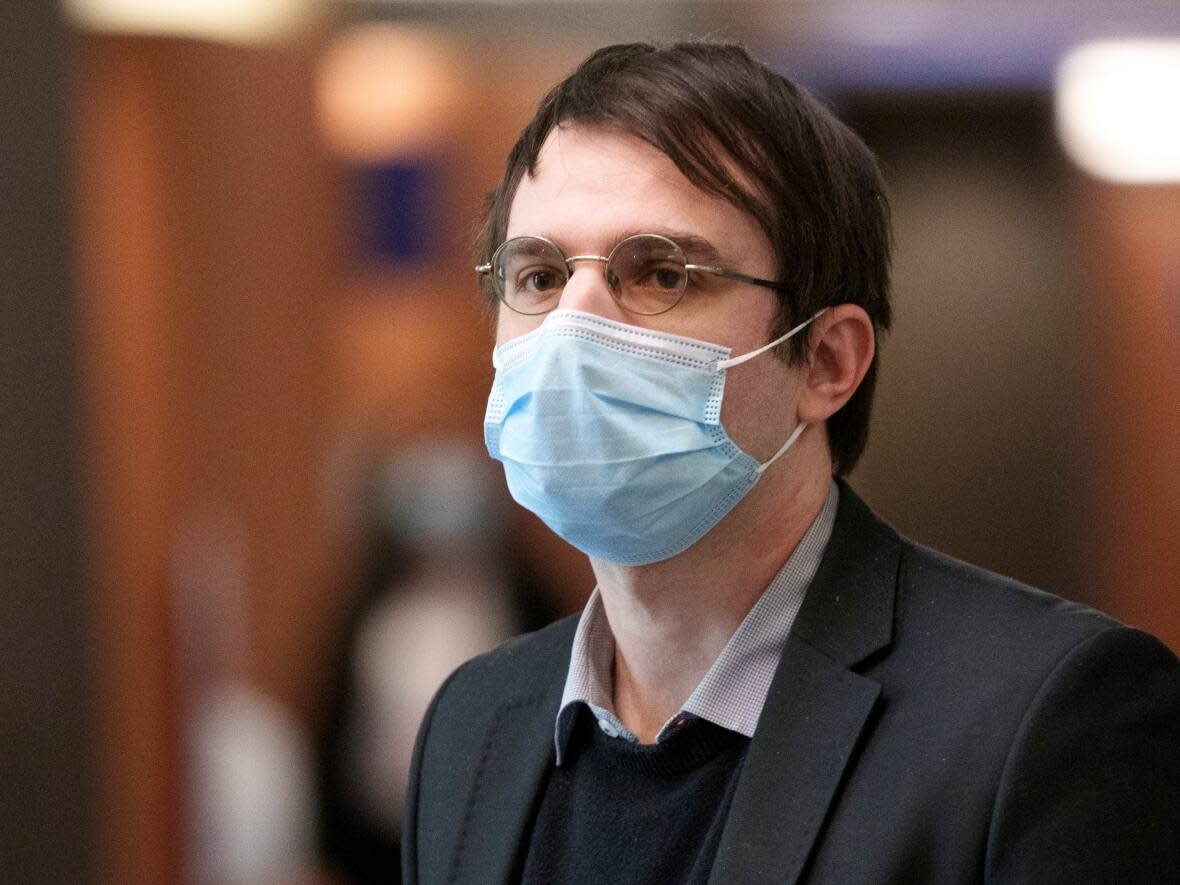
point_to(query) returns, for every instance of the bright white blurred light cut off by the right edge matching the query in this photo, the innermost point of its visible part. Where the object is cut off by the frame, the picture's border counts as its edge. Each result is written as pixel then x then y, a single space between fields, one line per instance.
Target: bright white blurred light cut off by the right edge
pixel 1118 107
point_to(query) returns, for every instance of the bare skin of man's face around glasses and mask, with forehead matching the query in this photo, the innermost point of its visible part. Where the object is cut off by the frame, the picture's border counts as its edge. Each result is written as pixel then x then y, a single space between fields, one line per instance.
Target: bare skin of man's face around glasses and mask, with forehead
pixel 594 188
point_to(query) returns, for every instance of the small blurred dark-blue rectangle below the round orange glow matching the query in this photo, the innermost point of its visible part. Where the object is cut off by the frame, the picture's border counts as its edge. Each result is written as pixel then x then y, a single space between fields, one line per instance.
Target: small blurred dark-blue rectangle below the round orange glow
pixel 398 204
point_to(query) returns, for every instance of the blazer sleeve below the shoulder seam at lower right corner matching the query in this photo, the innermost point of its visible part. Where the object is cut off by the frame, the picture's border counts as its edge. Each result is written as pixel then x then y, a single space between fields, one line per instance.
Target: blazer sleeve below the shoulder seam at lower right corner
pixel 1091 790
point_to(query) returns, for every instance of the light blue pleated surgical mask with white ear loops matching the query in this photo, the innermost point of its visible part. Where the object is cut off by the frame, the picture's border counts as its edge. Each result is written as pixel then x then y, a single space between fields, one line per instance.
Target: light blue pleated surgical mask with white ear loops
pixel 612 435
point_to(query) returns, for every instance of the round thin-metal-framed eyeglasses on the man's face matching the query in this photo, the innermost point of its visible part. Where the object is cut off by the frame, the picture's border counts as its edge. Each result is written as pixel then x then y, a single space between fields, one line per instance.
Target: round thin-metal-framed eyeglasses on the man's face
pixel 647 274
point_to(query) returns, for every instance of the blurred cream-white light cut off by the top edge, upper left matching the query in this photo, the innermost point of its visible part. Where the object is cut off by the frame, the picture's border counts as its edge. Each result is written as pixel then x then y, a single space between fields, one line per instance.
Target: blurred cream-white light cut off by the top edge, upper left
pixel 228 21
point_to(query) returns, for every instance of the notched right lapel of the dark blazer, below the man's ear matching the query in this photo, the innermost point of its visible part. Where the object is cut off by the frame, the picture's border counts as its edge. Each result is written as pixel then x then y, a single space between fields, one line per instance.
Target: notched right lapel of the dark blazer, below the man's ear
pixel 817 709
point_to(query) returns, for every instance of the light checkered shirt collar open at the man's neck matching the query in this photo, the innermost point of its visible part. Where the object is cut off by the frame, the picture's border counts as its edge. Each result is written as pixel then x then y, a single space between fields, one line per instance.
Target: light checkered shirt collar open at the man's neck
pixel 735 689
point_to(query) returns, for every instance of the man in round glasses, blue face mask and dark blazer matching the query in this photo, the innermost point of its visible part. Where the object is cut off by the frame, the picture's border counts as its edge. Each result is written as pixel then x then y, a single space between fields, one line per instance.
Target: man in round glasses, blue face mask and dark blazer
pixel 690 259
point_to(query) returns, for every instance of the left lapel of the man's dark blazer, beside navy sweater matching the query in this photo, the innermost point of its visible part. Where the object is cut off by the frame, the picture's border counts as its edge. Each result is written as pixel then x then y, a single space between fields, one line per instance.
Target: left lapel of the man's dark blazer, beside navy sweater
pixel 516 757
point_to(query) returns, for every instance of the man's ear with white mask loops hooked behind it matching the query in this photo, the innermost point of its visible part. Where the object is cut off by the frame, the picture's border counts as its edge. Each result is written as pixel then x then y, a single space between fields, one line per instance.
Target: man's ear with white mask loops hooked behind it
pixel 841 348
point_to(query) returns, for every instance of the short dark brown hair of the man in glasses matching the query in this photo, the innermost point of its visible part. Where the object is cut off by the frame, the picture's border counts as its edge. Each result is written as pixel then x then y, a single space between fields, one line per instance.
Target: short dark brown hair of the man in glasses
pixel 740 132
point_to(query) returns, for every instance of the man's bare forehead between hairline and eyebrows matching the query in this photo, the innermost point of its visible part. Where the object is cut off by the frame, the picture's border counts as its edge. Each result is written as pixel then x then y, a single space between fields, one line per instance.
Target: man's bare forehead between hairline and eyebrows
pixel 594 187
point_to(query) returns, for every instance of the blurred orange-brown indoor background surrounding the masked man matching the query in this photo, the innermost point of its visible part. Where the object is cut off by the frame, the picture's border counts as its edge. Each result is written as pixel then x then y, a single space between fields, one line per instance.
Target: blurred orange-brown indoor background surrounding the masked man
pixel 246 520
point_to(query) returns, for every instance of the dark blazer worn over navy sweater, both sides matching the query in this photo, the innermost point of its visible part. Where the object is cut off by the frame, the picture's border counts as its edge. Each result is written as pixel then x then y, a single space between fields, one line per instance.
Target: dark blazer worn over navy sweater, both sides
pixel 929 723
